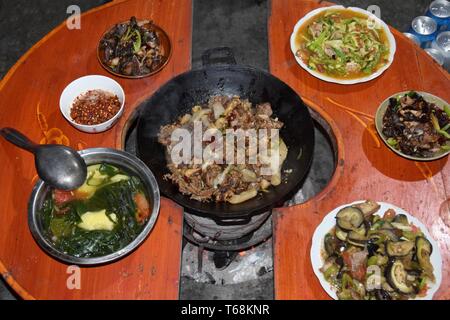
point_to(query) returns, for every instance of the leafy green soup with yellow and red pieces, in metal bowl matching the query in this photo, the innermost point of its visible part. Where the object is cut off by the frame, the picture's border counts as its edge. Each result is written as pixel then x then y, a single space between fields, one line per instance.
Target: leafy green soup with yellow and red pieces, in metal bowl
pixel 102 216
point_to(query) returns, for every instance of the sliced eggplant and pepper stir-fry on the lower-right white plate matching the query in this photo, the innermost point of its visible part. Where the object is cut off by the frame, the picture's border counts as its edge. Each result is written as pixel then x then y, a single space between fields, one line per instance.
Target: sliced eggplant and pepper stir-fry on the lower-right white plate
pixel 372 257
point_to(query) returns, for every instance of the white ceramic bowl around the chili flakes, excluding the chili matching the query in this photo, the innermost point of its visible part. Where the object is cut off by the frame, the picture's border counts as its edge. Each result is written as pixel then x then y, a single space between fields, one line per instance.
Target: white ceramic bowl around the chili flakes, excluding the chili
pixel 82 85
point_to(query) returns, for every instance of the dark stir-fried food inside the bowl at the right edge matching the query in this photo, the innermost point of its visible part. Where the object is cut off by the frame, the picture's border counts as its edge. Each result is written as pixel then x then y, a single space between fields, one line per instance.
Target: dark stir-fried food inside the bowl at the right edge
pixel 416 127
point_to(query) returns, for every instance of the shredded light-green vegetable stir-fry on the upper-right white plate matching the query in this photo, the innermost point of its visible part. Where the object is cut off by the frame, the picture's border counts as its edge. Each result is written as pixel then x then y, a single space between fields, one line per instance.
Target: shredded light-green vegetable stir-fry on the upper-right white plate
pixel 342 44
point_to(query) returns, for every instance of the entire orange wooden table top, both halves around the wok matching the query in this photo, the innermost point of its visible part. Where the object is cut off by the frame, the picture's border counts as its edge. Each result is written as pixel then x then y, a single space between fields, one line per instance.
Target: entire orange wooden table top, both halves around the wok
pixel 365 167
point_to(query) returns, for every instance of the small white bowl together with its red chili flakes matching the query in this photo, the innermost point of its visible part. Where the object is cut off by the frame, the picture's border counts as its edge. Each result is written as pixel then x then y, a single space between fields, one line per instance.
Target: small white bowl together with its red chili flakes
pixel 92 103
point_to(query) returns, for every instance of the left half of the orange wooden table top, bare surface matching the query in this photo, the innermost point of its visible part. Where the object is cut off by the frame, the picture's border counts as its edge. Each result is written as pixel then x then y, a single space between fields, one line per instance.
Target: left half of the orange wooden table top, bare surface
pixel 30 102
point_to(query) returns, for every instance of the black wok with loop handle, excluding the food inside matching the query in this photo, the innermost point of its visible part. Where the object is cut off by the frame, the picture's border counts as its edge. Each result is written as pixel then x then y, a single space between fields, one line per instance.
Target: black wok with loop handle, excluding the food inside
pixel 195 87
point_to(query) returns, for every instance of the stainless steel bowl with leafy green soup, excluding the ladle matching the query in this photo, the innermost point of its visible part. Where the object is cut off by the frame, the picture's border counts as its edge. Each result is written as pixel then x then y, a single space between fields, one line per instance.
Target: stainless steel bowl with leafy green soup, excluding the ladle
pixel 105 219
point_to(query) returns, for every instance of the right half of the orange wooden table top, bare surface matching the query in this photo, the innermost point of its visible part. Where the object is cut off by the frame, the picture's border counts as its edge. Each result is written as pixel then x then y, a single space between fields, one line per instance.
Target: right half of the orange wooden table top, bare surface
pixel 366 168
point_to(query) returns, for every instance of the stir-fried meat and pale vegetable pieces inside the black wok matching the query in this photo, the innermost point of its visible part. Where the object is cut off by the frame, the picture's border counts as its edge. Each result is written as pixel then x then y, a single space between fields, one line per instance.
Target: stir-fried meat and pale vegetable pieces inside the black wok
pixel 218 180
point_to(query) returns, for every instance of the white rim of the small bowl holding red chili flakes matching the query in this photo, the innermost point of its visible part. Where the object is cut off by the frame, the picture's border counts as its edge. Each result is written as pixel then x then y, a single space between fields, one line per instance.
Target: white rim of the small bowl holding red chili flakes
pixel 93 126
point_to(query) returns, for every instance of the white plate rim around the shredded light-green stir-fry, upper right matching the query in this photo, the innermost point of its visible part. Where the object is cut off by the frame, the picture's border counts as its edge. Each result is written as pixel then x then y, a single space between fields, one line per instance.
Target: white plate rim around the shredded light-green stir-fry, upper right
pixel 390 37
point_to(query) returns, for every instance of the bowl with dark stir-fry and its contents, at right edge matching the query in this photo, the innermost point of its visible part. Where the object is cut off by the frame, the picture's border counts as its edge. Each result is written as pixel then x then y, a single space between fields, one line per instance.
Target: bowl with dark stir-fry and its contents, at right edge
pixel 415 125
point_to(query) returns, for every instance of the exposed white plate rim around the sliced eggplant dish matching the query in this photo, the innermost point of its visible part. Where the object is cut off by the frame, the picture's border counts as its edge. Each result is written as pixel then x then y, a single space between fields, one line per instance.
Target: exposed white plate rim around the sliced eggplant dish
pixel 330 221
